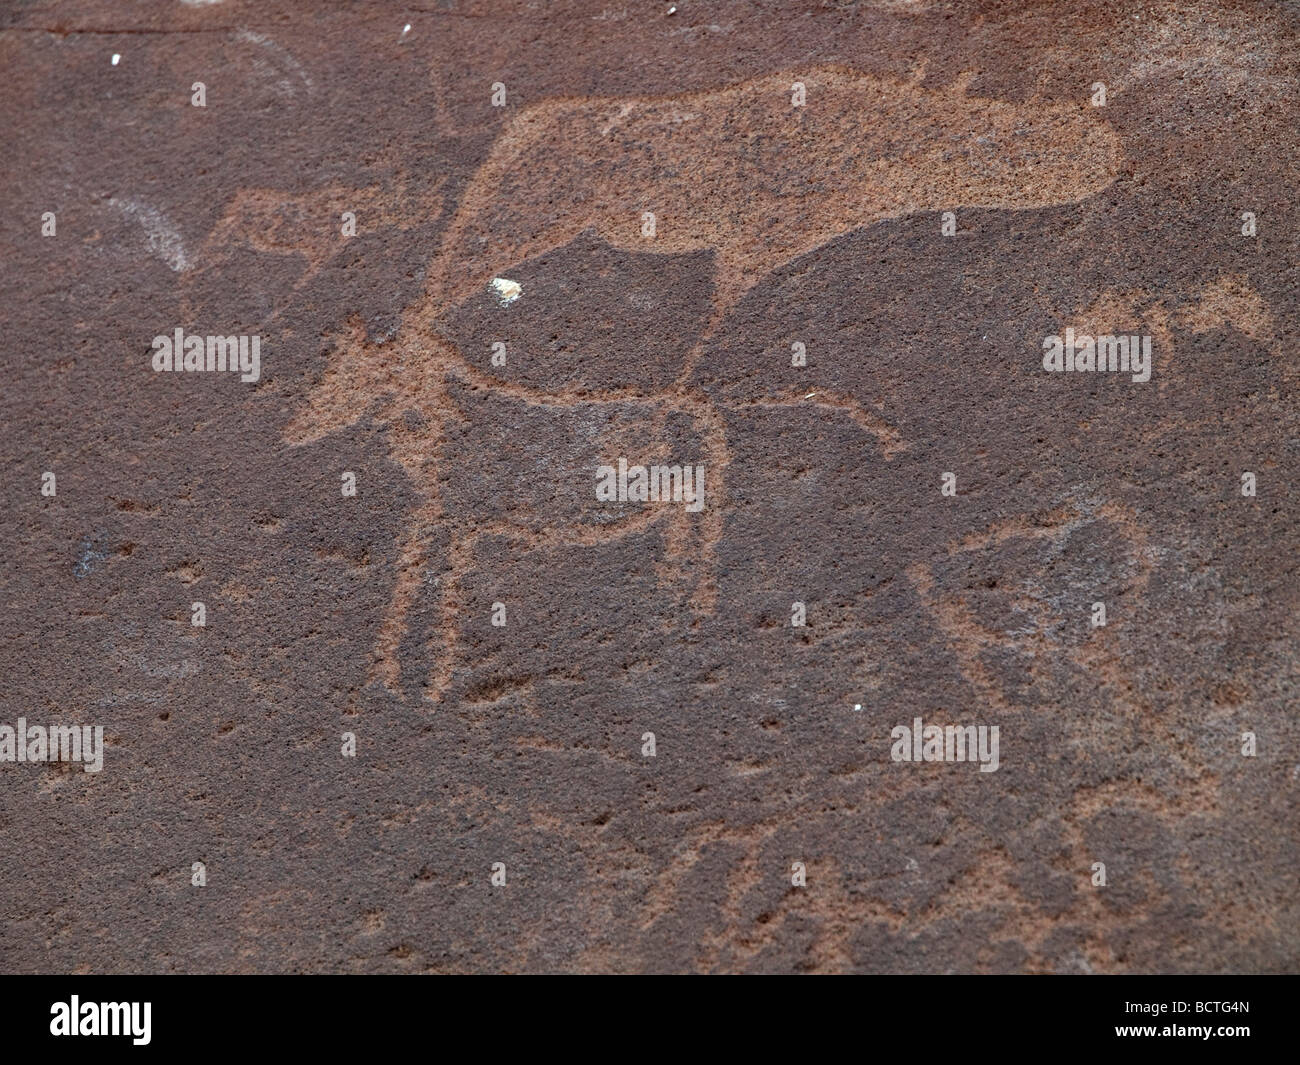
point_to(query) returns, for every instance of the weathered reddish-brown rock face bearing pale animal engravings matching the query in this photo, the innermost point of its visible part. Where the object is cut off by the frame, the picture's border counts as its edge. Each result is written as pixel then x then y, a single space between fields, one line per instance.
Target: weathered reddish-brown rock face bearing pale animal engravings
pixel 843 297
